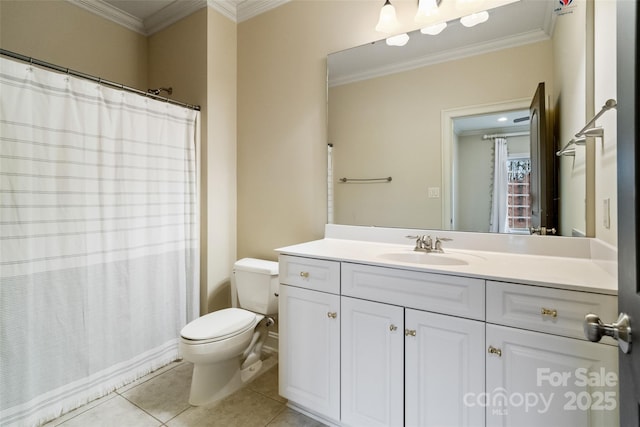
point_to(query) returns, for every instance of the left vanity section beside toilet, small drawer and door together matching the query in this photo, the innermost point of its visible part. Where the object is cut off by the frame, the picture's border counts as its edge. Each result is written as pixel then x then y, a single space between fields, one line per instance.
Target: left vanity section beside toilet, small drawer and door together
pixel 309 334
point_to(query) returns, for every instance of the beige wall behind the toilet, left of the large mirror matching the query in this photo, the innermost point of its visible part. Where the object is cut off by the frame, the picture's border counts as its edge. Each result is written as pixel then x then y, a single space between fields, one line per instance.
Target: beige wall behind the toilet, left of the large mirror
pixel 282 132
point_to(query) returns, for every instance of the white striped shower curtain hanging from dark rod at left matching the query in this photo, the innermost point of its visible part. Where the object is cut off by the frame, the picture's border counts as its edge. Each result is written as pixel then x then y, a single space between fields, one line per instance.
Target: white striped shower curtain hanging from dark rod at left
pixel 98 238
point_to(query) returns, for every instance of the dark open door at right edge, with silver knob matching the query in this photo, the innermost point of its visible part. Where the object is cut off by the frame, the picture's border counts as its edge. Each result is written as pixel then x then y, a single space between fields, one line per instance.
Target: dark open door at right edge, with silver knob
pixel 628 291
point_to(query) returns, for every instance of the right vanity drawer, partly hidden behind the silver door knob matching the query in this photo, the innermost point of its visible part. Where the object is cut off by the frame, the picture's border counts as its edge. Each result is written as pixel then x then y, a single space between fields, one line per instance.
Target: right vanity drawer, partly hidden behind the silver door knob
pixel 555 311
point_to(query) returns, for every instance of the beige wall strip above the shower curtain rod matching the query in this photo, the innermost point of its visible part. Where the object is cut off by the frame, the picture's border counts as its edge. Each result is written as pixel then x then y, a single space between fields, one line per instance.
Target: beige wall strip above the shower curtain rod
pixel 66 35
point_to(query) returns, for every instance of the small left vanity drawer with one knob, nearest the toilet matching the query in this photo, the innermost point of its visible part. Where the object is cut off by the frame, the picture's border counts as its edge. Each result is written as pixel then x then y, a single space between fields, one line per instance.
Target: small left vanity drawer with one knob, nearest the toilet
pixel 317 274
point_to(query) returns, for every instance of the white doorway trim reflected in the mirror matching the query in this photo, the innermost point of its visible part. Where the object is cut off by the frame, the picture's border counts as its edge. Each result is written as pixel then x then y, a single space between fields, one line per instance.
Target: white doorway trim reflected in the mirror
pixel 447 117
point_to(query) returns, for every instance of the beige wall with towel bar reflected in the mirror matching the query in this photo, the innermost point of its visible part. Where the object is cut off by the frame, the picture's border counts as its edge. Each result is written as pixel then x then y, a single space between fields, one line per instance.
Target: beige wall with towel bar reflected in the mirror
pixel 391 126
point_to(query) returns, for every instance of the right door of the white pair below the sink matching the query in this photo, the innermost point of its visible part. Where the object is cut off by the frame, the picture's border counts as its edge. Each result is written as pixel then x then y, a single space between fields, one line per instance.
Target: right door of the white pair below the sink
pixel 444 363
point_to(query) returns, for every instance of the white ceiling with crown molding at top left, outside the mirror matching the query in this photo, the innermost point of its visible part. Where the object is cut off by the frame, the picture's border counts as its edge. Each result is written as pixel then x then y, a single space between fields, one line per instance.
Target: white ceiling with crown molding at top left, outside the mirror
pixel 149 16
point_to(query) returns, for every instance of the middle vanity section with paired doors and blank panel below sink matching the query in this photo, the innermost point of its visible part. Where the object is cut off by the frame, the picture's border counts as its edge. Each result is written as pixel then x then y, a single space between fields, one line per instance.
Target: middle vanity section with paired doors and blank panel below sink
pixel 400 362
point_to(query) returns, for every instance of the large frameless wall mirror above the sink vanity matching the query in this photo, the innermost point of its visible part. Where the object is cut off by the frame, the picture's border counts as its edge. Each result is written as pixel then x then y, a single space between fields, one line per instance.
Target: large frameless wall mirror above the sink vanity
pixel 427 116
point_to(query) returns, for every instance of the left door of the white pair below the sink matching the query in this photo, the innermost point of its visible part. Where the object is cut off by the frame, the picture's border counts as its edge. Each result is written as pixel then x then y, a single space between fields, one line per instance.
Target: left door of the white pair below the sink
pixel 372 363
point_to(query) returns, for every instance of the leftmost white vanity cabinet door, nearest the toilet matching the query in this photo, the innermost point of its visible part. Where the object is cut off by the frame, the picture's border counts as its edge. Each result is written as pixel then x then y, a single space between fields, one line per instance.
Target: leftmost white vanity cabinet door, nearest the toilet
pixel 309 349
